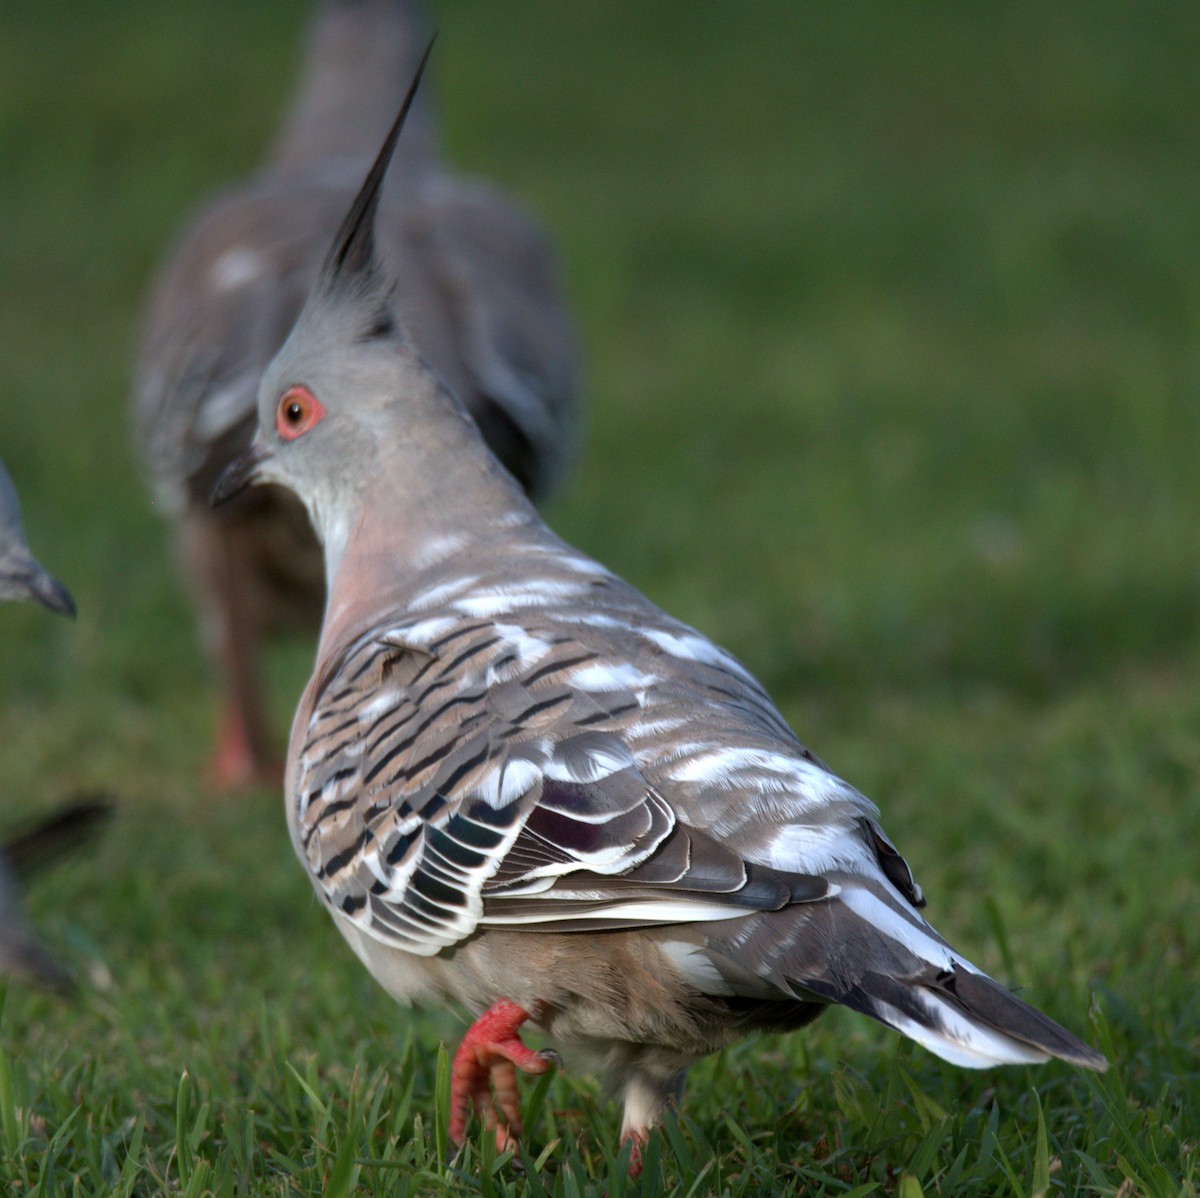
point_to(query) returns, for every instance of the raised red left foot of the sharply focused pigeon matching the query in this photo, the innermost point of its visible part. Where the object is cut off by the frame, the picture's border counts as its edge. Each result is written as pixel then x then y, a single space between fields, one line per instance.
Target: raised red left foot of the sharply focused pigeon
pixel 489 1059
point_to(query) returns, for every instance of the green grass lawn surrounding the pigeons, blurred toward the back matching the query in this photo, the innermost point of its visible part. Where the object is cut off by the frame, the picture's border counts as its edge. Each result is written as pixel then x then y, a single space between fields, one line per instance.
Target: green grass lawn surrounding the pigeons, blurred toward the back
pixel 891 316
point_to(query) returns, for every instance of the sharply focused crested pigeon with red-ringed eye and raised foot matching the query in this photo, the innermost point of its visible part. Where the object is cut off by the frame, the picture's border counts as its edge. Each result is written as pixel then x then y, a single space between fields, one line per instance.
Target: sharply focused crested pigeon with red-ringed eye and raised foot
pixel 521 788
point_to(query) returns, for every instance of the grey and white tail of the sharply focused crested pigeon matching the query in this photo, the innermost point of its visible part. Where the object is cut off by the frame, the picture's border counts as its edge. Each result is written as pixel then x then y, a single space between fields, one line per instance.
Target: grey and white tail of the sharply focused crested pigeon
pixel 881 959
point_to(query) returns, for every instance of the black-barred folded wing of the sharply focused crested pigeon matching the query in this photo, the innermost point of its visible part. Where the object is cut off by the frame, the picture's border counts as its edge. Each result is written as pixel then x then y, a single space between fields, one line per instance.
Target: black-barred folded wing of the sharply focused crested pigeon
pixel 453 778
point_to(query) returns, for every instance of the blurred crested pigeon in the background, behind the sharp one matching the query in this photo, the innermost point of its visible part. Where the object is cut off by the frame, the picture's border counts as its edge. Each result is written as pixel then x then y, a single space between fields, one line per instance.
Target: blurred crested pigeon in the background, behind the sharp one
pixel 477 291
